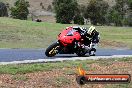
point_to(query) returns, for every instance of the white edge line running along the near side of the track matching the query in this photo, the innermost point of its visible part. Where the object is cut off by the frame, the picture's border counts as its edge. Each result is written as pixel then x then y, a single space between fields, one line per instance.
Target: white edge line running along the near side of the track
pixel 64 59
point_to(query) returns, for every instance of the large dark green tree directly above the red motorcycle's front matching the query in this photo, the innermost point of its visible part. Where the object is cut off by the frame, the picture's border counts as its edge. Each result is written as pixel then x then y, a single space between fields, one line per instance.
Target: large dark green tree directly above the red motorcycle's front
pixel 65 10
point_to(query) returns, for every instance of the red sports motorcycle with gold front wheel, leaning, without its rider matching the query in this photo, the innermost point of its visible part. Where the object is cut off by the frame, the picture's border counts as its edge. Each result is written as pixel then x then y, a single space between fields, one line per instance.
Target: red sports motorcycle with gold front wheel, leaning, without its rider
pixel 70 41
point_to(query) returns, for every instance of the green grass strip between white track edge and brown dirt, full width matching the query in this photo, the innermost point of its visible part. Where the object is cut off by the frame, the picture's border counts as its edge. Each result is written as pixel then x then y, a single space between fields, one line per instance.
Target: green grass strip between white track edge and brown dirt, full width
pixel 28 68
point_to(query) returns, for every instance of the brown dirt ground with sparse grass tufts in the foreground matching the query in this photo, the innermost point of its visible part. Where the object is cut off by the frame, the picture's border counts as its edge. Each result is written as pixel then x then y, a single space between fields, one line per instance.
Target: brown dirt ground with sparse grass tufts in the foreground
pixel 60 78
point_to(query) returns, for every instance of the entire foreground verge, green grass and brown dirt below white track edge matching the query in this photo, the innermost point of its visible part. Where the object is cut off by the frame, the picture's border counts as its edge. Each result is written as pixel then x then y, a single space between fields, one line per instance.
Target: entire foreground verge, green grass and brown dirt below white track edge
pixel 62 74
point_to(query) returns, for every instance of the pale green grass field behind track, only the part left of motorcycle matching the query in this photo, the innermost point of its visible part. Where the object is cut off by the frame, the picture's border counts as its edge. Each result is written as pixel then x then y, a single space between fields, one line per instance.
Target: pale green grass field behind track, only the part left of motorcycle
pixel 27 34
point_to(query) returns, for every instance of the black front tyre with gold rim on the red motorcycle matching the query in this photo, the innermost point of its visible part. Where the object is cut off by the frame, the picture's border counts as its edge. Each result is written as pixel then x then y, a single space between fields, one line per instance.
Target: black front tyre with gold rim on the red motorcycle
pixel 52 50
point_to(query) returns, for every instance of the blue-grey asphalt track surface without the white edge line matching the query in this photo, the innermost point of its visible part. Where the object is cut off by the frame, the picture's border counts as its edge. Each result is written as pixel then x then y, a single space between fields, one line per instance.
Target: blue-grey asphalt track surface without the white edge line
pixel 9 55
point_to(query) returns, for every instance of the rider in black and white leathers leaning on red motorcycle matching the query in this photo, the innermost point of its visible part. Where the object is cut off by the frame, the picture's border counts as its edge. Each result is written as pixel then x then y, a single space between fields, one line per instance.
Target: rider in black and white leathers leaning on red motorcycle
pixel 91 37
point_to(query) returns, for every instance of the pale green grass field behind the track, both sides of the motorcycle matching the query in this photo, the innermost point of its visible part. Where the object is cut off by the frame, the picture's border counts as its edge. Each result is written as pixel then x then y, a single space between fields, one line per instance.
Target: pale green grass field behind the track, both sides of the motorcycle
pixel 16 33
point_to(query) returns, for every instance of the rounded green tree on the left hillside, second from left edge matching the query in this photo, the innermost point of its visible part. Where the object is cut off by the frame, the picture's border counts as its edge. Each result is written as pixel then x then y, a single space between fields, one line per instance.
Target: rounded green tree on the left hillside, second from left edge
pixel 20 11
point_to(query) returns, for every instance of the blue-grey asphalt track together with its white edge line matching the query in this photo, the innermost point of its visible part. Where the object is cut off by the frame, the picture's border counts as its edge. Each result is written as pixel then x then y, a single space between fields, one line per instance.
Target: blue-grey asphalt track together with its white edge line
pixel 10 56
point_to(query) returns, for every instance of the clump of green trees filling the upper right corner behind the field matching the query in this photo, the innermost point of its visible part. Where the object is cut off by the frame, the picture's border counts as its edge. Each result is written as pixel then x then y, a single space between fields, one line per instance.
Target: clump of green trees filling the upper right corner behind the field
pixel 101 13
